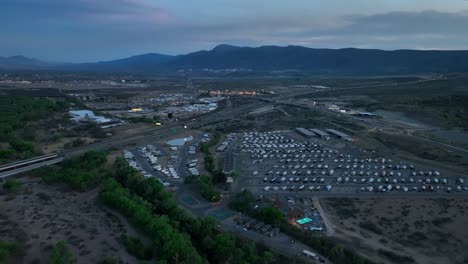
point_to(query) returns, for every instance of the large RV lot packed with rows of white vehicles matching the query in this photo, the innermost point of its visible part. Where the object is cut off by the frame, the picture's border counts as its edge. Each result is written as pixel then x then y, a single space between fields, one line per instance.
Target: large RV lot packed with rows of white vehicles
pixel 284 161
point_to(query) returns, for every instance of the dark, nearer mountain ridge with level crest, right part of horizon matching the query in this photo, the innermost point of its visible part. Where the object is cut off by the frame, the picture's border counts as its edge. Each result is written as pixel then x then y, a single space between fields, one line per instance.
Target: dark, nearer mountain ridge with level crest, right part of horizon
pixel 344 61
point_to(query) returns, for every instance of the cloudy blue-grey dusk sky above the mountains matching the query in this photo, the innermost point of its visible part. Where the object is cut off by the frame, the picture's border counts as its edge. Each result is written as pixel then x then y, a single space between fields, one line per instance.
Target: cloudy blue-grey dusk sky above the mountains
pixel 91 30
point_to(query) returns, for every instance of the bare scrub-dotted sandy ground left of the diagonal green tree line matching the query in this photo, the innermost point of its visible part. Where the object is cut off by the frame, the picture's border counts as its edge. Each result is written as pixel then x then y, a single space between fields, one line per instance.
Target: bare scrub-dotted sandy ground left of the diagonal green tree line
pixel 39 215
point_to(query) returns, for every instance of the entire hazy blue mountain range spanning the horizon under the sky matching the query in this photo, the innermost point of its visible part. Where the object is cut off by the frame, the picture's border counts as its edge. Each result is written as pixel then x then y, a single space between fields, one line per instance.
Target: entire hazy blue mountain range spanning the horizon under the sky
pixel 268 58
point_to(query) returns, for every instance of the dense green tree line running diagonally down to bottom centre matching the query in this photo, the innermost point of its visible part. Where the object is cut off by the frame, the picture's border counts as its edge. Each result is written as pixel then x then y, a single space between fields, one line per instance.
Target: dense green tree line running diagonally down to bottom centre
pixel 212 245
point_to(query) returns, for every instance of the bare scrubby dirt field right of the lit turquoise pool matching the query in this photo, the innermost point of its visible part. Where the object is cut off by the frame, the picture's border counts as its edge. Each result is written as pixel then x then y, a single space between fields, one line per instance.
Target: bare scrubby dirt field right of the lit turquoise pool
pixel 428 230
